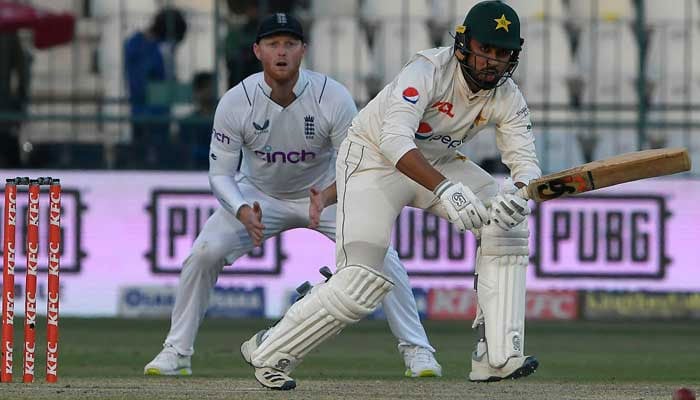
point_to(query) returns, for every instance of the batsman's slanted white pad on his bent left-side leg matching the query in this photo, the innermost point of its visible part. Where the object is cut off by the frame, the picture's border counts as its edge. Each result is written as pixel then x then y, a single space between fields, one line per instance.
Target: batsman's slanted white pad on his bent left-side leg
pixel 350 295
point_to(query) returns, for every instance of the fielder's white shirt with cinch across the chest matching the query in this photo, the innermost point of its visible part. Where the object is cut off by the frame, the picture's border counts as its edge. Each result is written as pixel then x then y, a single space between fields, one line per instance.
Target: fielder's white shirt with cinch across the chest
pixel 286 150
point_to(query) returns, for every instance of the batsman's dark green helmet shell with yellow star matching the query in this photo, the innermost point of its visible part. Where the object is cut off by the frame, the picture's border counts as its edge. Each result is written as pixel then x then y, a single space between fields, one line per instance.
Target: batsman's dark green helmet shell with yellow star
pixel 494 23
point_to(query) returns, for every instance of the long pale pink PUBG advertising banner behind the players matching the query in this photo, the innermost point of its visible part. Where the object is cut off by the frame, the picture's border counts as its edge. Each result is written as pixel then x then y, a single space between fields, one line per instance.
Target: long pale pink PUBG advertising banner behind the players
pixel 134 229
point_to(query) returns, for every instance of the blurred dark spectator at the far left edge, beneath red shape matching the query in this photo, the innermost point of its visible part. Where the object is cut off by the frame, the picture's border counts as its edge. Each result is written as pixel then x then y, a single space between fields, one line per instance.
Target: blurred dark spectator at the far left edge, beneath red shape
pixel 14 89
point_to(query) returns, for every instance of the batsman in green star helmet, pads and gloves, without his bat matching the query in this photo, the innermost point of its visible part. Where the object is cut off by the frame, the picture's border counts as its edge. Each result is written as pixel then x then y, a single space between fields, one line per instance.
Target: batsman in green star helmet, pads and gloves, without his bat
pixel 401 151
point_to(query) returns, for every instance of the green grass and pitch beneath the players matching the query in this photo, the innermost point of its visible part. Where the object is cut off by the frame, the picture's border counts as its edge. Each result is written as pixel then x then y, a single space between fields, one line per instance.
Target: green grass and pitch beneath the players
pixel 104 358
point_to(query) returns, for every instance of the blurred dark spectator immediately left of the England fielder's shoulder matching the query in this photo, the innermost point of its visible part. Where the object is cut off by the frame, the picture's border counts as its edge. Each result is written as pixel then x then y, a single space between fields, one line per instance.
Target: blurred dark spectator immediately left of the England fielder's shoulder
pixel 195 129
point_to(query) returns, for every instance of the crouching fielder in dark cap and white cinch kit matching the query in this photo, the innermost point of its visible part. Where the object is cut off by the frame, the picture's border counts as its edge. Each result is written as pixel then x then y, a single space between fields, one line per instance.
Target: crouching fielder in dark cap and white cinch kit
pixel 289 123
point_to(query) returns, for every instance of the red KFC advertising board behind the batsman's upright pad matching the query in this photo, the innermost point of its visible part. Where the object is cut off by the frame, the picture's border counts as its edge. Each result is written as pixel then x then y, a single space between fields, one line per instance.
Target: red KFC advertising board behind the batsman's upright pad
pixel 461 304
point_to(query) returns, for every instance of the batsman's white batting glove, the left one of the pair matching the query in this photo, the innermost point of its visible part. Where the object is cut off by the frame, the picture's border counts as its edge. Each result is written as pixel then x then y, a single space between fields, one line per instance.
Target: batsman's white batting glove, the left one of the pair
pixel 464 209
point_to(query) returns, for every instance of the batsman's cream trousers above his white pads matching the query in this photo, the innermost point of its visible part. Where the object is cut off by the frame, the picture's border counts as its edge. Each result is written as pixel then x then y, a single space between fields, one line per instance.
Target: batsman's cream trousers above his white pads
pixel 372 193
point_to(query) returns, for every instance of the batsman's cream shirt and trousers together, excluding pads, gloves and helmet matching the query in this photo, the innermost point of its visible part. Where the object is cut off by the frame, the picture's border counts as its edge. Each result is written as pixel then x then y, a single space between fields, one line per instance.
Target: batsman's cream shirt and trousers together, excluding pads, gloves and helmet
pixel 430 107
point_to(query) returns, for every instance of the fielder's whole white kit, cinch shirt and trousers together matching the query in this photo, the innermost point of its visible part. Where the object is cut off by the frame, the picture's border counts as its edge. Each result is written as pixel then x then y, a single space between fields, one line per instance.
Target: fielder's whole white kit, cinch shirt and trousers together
pixel 286 151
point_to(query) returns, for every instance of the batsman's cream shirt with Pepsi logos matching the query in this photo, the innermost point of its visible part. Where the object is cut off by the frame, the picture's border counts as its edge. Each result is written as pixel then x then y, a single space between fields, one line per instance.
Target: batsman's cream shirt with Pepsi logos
pixel 430 107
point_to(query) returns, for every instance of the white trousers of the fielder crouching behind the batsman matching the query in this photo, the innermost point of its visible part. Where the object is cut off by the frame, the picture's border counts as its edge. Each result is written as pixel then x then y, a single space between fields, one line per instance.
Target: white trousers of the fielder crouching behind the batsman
pixel 224 239
